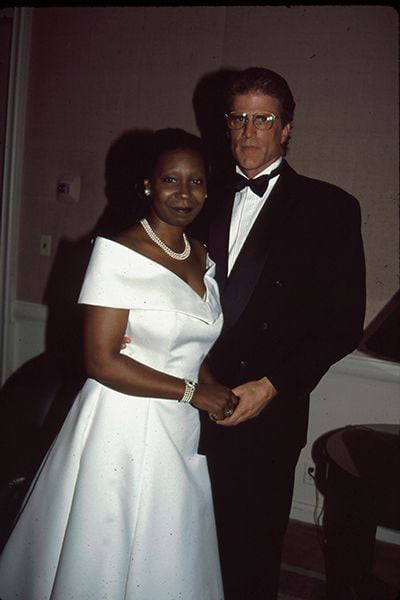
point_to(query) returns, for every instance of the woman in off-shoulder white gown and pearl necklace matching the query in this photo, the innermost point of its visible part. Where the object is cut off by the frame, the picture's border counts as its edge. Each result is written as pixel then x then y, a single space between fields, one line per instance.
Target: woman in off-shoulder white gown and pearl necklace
pixel 121 508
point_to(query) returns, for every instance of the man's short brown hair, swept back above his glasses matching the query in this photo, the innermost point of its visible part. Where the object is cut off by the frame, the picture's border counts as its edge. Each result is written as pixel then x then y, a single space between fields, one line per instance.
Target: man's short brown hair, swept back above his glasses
pixel 258 79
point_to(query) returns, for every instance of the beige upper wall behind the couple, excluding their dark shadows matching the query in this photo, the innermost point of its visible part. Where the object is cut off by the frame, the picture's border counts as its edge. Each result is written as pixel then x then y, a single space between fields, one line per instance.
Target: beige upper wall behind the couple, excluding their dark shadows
pixel 98 72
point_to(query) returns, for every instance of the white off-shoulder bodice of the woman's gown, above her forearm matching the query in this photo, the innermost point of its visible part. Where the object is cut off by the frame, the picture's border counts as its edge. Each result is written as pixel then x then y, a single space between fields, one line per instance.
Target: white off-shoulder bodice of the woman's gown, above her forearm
pixel 172 328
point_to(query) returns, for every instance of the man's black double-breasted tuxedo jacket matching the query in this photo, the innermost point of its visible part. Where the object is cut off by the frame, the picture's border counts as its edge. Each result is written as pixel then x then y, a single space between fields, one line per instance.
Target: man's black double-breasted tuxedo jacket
pixel 293 304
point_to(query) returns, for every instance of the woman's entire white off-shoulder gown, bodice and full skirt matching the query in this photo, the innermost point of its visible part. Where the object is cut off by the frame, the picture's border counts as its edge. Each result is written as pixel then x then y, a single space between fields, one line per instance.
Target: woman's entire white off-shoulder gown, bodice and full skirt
pixel 121 508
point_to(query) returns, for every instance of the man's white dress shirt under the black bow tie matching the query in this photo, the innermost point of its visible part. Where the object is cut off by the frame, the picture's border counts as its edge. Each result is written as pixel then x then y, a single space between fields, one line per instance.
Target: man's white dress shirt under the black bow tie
pixel 246 208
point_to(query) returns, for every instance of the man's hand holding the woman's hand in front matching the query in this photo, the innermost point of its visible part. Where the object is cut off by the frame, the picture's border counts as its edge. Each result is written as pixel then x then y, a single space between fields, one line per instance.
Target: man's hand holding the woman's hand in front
pixel 253 398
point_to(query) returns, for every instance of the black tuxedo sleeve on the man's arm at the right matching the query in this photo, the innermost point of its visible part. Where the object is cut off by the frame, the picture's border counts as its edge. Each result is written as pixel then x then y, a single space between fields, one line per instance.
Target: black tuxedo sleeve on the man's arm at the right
pixel 338 305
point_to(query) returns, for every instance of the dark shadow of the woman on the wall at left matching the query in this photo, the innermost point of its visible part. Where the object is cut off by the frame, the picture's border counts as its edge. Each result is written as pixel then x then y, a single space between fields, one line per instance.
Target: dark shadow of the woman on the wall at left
pixel 124 173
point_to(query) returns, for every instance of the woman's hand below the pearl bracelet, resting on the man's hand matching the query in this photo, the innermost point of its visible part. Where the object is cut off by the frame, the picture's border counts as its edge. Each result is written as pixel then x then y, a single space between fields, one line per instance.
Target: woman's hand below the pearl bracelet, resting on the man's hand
pixel 218 400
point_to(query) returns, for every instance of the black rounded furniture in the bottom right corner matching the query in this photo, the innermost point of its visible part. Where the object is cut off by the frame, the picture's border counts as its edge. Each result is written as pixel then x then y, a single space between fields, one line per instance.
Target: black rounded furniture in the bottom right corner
pixel 358 472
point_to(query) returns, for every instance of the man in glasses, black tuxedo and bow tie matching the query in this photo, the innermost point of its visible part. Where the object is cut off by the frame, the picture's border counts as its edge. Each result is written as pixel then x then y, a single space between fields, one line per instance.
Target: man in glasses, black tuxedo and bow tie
pixel 290 267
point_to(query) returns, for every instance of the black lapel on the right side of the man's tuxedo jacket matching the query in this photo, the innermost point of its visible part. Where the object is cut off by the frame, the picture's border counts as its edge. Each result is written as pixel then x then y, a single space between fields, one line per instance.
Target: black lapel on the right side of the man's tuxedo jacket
pixel 254 254
